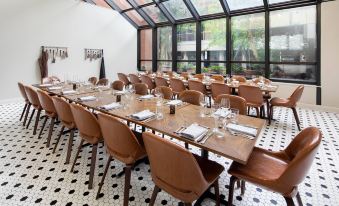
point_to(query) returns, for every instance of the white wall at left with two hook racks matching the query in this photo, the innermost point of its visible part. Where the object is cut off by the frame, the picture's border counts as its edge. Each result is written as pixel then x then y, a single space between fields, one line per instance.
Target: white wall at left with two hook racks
pixel 26 25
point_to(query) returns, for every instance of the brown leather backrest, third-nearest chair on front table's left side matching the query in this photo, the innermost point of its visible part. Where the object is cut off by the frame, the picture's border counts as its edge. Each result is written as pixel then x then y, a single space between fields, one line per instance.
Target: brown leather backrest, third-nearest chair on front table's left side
pixel 86 123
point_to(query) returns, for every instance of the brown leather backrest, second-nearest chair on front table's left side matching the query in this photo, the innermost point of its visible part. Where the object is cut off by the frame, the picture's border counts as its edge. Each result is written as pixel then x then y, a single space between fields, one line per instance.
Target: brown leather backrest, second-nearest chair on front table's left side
pixel 120 141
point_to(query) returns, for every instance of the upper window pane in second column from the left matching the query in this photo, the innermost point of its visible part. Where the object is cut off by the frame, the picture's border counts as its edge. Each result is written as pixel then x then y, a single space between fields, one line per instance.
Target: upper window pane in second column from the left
pixel 164 36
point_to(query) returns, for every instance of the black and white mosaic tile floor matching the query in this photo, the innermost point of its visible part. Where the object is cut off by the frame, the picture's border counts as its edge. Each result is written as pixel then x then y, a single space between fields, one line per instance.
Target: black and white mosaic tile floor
pixel 31 175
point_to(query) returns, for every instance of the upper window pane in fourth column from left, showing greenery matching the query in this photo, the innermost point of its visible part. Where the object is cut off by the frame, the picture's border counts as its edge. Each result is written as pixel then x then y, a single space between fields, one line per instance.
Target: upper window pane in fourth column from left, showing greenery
pixel 213 40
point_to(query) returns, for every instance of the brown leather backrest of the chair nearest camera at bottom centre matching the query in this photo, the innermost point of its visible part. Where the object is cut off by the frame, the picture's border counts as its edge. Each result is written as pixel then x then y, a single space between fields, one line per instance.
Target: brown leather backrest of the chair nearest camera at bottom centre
pixel 173 168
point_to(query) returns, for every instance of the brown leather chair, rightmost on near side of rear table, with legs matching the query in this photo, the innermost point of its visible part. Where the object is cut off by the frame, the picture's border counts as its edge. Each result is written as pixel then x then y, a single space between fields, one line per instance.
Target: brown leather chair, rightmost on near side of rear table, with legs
pixel 254 98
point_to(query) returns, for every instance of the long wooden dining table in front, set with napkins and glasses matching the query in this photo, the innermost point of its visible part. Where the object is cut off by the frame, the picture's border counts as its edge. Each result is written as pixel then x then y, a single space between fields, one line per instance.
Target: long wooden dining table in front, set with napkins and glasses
pixel 235 147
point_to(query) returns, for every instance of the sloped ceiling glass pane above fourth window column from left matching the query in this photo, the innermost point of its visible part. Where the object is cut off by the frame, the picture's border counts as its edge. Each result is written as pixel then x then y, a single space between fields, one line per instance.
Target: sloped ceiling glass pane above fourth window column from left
pixel 205 7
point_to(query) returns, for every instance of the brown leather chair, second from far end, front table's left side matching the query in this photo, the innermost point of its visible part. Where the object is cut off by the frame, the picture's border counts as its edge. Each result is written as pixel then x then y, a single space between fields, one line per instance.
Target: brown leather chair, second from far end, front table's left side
pixel 34 101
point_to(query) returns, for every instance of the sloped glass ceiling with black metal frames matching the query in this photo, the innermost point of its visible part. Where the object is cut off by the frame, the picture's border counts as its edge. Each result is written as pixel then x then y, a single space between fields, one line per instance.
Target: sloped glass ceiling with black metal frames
pixel 150 13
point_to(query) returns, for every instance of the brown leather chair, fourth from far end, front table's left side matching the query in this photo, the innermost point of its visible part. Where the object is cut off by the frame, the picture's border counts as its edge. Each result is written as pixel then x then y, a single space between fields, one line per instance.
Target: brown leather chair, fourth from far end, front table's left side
pixel 66 118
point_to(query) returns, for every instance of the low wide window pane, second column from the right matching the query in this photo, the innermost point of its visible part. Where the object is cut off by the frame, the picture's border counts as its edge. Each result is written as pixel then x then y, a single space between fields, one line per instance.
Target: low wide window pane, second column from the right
pixel 247 69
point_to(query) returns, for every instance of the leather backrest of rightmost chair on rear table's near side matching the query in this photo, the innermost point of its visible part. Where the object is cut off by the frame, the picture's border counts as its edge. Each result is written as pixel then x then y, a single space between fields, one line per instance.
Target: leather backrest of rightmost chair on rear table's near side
pixel 252 94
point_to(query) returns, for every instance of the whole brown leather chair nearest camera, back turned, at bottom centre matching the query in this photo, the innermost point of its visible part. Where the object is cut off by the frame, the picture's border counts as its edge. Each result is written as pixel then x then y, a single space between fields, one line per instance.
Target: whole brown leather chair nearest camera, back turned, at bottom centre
pixel 178 172
